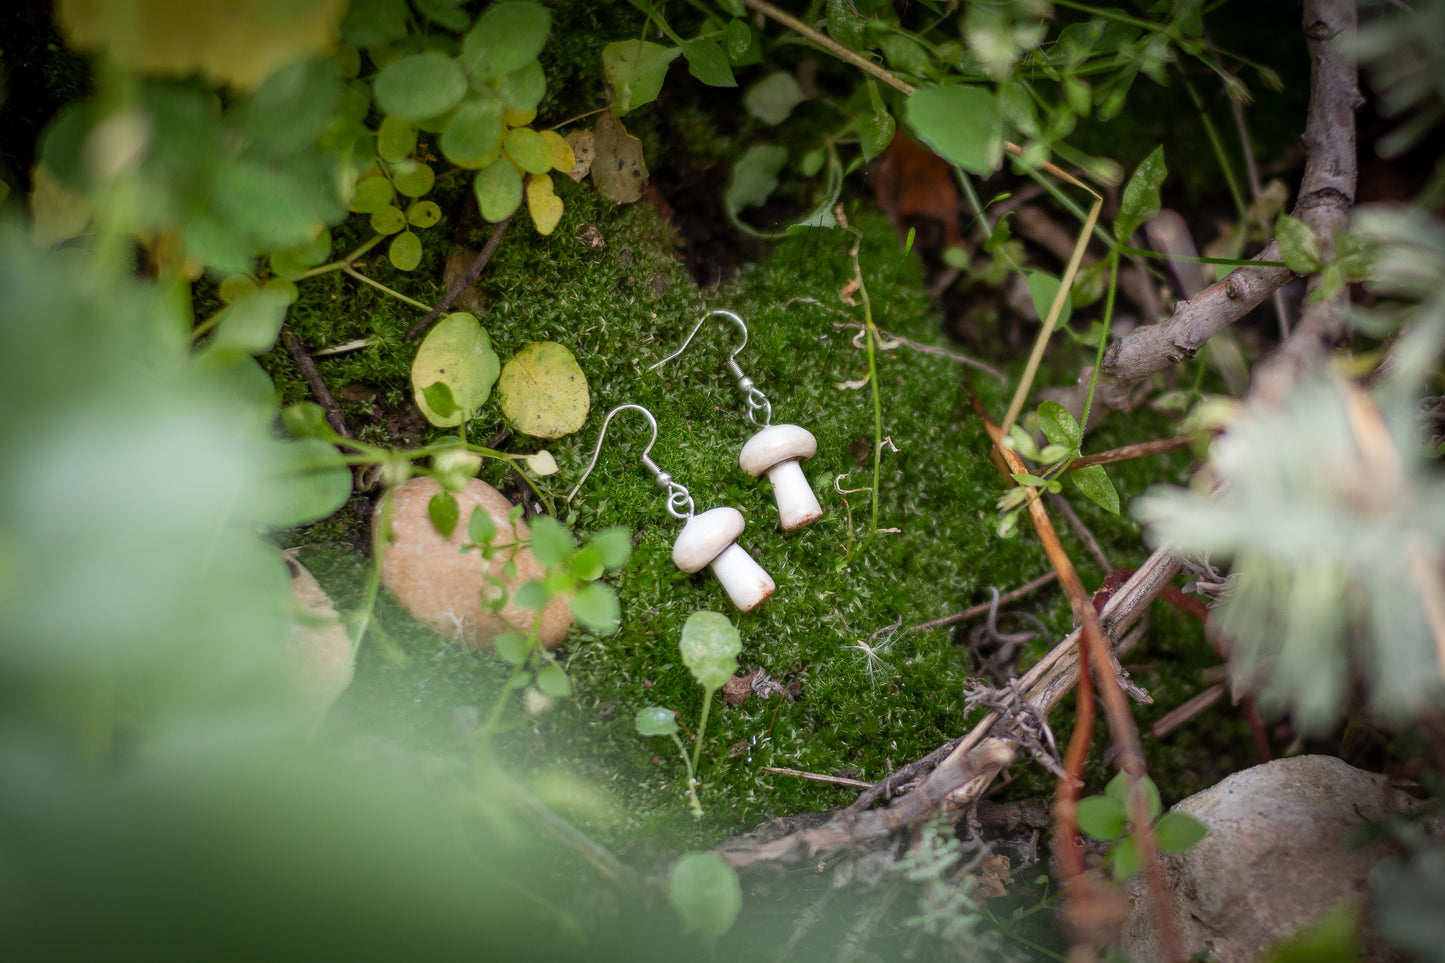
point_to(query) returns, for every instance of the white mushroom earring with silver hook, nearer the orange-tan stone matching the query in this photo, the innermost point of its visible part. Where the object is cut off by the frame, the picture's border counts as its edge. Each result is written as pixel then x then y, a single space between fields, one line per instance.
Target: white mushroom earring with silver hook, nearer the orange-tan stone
pixel 706 540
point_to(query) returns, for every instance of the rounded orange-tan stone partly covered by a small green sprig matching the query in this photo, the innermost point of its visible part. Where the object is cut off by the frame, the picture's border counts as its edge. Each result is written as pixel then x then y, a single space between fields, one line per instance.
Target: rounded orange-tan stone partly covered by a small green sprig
pixel 443 586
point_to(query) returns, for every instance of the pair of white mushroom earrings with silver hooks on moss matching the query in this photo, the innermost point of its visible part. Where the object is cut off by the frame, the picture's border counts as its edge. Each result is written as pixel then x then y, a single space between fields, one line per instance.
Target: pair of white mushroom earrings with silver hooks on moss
pixel 712 537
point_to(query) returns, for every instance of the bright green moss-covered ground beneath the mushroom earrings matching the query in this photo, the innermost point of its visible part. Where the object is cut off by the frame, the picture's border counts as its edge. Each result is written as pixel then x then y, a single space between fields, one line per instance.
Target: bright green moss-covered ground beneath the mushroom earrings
pixel 621 310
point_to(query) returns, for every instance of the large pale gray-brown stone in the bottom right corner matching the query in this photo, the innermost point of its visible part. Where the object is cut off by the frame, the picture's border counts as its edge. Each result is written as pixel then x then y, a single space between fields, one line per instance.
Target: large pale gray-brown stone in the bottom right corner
pixel 1282 849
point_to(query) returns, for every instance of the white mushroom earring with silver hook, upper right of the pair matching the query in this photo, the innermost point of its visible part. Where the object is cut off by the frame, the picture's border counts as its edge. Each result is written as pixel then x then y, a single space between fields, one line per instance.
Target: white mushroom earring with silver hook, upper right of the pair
pixel 777 450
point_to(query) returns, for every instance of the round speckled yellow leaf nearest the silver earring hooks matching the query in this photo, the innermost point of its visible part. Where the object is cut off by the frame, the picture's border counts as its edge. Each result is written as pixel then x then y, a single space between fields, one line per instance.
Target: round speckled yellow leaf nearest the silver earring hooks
pixel 544 391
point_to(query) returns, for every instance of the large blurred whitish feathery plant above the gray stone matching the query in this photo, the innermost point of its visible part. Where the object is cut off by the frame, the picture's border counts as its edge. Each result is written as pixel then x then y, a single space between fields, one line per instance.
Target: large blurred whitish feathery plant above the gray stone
pixel 1337 539
